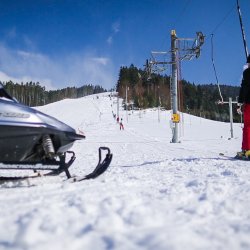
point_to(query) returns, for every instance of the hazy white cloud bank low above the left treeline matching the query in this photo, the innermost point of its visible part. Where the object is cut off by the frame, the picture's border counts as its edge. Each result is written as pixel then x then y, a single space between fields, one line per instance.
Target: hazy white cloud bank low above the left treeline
pixel 71 70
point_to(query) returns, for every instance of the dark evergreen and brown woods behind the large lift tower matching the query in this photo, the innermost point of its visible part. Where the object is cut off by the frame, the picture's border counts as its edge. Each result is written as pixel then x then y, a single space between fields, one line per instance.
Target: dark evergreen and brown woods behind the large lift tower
pixel 200 100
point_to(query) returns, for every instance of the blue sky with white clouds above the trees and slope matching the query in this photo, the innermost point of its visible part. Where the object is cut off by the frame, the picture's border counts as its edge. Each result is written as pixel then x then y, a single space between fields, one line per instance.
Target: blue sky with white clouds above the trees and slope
pixel 74 42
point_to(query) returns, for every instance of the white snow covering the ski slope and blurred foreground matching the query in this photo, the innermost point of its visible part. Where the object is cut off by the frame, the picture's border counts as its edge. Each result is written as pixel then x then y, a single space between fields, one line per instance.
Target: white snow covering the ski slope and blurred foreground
pixel 155 195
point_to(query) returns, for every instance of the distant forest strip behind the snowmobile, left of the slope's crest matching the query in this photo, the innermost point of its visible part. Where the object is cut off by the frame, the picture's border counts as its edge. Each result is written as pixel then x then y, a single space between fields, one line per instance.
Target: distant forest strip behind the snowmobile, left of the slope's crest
pixel 33 94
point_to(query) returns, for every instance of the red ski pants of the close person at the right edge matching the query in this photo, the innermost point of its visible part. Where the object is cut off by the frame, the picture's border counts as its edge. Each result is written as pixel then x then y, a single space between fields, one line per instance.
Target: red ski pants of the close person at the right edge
pixel 246 128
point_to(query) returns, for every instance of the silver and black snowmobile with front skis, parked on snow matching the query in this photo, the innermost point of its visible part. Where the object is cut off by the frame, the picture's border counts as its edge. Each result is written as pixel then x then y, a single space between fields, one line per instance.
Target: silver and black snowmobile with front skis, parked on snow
pixel 32 140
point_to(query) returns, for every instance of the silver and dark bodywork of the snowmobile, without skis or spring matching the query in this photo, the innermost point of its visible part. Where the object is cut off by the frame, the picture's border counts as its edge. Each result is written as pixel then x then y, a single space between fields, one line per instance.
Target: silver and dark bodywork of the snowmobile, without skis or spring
pixel 22 130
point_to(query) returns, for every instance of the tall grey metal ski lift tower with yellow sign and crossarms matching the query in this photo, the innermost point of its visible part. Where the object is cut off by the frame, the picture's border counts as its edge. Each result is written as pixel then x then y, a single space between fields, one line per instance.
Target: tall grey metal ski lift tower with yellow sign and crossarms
pixel 181 49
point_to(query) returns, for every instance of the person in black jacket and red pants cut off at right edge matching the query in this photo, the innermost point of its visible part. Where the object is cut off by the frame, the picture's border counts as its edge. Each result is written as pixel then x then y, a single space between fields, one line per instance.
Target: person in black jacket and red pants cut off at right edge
pixel 244 99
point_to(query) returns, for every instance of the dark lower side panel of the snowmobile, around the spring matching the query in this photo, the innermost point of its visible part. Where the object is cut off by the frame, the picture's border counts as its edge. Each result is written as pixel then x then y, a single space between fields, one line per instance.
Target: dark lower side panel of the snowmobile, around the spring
pixel 18 143
